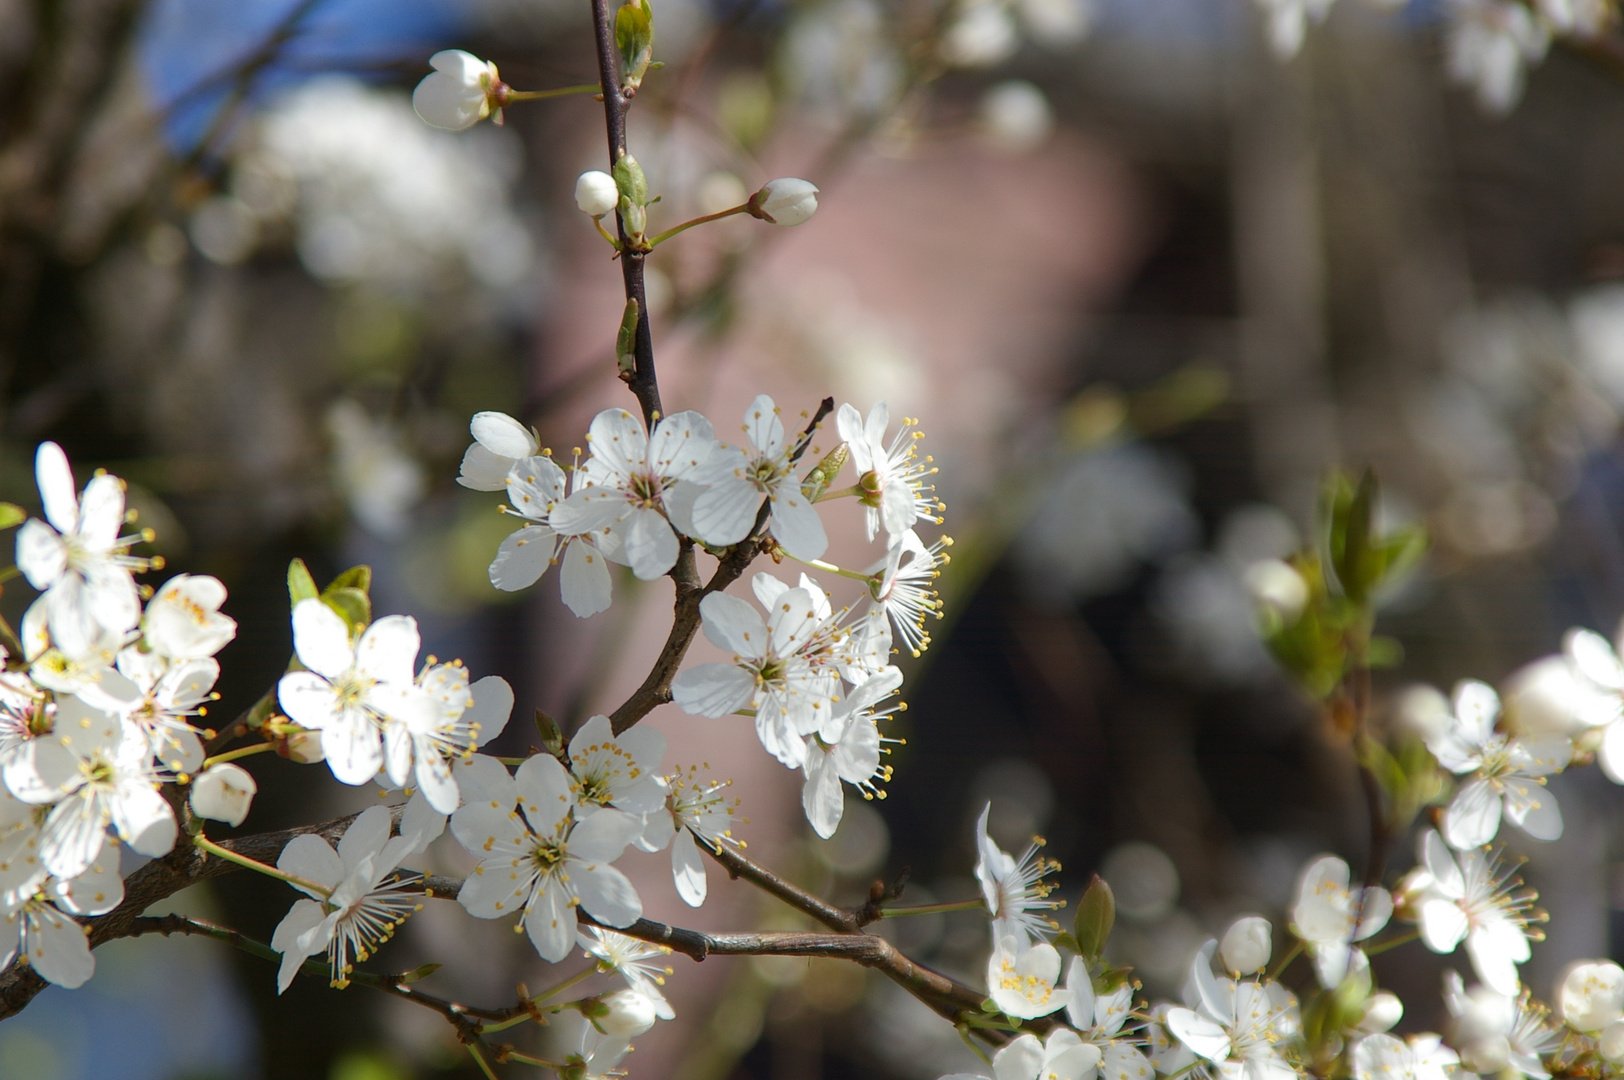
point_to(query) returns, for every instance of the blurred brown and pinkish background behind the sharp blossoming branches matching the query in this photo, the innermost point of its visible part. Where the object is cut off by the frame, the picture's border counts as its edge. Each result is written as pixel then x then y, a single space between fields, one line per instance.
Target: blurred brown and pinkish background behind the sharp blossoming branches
pixel 1144 269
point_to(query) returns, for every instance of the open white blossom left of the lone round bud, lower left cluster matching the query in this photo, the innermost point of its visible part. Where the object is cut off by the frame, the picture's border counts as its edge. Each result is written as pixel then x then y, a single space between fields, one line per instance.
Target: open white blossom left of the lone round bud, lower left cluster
pixel 98 772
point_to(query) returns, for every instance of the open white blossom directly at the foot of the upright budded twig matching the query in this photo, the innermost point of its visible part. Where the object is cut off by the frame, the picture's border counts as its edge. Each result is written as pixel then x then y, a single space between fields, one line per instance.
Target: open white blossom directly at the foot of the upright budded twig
pixel 631 483
